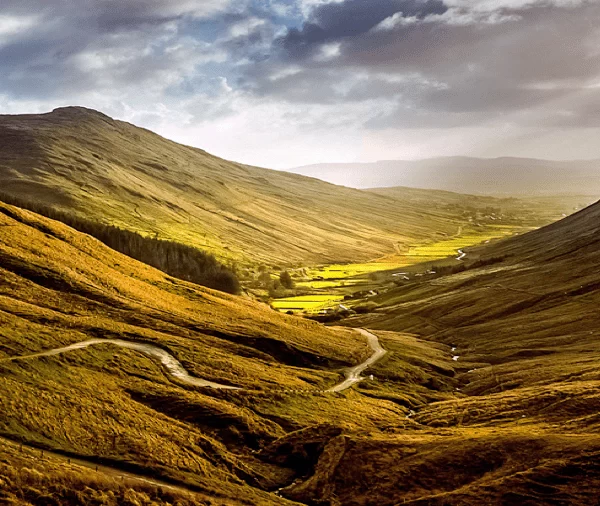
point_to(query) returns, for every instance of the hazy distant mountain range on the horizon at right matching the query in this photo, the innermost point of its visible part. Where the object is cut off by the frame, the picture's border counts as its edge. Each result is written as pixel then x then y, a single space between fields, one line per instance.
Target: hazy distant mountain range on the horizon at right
pixel 490 176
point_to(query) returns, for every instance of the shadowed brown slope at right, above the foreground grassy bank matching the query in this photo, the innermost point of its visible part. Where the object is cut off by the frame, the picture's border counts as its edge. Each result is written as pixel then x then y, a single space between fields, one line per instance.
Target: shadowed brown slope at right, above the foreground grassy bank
pixel 531 312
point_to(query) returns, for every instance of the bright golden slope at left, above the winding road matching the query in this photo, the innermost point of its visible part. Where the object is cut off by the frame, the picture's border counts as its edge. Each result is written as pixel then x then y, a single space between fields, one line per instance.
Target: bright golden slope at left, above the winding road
pixel 87 289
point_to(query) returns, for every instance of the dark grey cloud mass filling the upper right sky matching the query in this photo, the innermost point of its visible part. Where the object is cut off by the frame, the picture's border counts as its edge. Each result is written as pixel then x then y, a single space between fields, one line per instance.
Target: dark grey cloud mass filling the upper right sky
pixel 440 65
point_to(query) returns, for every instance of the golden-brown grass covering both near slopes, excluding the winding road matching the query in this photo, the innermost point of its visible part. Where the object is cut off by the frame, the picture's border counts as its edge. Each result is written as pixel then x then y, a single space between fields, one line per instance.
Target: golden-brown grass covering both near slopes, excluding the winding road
pixel 521 428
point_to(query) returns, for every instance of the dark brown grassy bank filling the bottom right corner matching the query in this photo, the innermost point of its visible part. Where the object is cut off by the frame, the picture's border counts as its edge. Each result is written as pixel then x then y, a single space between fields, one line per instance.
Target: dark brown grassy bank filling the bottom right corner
pixel 517 465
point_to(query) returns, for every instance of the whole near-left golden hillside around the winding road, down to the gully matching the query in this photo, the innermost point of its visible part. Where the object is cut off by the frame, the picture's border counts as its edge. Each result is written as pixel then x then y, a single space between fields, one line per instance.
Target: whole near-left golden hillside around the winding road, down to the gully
pixel 118 408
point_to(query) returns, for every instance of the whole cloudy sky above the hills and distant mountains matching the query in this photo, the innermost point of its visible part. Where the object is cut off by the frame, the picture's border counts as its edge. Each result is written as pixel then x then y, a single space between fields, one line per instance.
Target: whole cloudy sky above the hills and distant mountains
pixel 284 83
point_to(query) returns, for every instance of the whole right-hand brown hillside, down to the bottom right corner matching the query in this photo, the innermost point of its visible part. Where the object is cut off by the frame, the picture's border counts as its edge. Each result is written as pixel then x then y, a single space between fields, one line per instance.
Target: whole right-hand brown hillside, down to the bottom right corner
pixel 521 317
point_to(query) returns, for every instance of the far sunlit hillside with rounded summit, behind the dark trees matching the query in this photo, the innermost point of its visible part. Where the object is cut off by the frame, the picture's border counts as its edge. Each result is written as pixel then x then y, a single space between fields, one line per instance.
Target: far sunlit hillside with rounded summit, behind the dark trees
pixel 81 160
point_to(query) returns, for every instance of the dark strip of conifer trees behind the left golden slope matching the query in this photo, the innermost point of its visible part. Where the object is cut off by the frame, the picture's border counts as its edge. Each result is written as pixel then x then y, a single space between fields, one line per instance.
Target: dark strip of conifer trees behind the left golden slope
pixel 177 260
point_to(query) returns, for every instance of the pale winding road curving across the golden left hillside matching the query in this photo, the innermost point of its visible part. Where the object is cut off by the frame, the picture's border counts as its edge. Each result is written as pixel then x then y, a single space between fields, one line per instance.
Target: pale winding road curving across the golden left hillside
pixel 177 371
